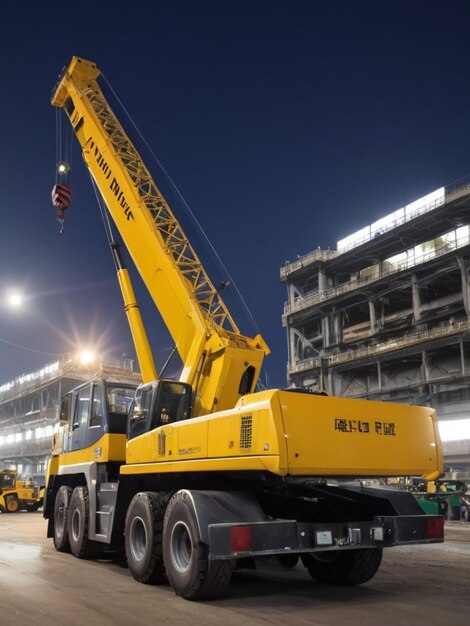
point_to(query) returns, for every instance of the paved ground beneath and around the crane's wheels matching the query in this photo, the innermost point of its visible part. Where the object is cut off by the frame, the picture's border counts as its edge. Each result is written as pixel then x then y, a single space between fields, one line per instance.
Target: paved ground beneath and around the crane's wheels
pixel 420 585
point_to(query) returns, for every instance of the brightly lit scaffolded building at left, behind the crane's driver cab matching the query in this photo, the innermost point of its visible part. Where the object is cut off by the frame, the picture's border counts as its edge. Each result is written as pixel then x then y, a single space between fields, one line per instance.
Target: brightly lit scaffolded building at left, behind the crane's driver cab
pixel 30 405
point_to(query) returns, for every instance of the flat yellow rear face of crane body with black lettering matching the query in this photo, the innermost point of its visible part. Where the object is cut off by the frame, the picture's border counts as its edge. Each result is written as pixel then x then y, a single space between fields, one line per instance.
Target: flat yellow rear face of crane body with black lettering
pixel 328 435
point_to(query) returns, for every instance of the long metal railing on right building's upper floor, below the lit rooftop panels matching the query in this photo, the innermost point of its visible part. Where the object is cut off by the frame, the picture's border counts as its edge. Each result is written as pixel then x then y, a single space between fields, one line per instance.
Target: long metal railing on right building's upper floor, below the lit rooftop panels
pixel 304 302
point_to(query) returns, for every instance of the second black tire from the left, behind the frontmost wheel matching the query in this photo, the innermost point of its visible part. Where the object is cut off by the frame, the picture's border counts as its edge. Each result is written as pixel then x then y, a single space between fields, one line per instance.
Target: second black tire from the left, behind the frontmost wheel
pixel 77 527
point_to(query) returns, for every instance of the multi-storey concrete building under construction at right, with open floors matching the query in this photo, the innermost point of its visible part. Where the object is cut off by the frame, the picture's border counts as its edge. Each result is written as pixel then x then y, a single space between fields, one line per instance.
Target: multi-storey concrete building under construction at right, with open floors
pixel 387 314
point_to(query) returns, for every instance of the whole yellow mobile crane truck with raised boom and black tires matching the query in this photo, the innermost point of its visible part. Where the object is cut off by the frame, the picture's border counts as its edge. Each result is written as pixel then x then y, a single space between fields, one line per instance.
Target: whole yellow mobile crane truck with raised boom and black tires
pixel 210 473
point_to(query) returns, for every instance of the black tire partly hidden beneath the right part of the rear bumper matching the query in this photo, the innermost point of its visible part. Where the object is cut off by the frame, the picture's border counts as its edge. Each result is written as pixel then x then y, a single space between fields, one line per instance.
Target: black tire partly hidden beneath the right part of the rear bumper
pixel 348 567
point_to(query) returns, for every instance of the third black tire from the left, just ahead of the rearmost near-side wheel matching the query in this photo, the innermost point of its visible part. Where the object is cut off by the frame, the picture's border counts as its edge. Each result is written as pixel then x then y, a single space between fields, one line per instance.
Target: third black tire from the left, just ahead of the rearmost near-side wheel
pixel 143 538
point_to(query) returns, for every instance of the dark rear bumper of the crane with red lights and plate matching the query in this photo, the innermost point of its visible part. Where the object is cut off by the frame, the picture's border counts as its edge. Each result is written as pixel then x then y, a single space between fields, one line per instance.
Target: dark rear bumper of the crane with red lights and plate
pixel 264 538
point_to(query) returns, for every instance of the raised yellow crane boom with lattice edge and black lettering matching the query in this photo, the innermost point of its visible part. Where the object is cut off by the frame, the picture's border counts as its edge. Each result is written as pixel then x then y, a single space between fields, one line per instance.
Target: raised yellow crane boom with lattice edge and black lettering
pixel 192 309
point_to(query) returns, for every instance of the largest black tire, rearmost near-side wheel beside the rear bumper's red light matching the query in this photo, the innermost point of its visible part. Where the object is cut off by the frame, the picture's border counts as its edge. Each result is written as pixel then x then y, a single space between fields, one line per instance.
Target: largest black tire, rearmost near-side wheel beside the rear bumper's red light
pixel 189 571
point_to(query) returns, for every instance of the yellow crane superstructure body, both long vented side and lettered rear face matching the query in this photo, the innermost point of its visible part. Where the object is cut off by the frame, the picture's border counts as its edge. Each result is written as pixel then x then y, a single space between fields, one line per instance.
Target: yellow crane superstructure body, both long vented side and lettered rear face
pixel 297 434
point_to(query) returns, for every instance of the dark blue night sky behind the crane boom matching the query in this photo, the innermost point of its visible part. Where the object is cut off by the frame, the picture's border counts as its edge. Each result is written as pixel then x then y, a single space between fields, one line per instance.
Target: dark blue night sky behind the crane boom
pixel 285 125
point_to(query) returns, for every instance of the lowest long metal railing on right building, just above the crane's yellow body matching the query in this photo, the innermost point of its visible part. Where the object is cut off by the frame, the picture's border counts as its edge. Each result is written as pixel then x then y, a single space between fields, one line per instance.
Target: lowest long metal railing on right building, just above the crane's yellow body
pixel 388 346
